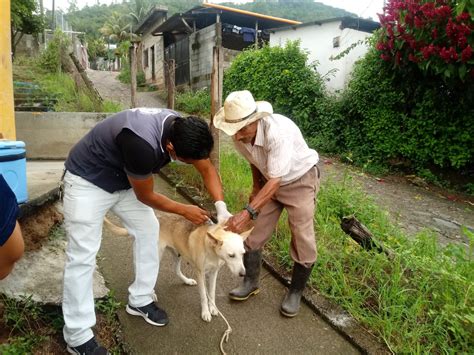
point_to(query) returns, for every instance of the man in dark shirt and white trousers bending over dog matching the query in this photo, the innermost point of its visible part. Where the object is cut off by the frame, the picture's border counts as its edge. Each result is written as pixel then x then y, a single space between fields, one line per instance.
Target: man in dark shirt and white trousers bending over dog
pixel 112 168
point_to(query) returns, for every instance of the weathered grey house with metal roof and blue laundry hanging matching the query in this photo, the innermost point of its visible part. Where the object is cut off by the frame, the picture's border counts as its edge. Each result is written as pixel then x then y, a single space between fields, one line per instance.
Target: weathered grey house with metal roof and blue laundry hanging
pixel 188 39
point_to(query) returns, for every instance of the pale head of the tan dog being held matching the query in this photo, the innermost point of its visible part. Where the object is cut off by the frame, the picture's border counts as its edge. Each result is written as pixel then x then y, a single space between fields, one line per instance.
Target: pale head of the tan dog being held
pixel 229 247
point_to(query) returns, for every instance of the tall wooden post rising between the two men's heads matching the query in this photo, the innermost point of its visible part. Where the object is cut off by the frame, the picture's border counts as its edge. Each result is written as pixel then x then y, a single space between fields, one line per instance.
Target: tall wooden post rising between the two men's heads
pixel 216 92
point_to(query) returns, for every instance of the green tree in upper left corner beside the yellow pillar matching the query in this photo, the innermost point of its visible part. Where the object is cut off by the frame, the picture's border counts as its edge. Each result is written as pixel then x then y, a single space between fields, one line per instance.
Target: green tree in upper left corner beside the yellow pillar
pixel 24 20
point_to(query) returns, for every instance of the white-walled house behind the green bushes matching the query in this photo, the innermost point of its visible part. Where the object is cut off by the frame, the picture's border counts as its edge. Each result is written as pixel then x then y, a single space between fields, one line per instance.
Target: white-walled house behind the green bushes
pixel 324 40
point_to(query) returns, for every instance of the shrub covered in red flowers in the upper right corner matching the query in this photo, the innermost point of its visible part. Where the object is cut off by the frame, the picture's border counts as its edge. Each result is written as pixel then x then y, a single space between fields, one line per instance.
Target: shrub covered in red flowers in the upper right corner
pixel 437 36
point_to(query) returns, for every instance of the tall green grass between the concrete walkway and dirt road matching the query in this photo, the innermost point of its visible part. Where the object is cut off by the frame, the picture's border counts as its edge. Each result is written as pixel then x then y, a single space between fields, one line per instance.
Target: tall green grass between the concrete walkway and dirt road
pixel 421 301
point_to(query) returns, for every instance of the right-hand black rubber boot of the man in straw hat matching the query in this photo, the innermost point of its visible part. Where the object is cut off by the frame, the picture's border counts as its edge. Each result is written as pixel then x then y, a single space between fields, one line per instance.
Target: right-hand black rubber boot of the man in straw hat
pixel 291 304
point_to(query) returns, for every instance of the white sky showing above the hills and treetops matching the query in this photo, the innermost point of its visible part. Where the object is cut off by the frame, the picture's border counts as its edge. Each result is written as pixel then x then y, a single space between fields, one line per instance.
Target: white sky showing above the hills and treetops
pixel 363 8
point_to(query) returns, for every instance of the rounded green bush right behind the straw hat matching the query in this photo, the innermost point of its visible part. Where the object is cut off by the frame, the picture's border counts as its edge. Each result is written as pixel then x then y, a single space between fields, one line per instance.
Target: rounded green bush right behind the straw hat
pixel 281 76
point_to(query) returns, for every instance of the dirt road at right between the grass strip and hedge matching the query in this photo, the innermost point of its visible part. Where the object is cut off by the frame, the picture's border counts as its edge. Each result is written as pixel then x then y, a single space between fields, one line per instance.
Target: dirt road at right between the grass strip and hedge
pixel 412 204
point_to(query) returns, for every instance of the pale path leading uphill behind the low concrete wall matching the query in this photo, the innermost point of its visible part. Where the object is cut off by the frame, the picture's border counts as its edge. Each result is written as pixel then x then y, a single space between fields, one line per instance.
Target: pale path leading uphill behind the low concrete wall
pixel 110 88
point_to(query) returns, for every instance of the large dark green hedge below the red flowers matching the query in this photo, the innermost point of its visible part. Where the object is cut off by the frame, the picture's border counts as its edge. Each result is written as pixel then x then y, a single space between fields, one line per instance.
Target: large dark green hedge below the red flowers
pixel 419 119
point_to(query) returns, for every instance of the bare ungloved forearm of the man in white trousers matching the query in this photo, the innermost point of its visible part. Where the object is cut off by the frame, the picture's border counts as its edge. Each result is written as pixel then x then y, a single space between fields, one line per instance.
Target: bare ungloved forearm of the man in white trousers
pixel 143 189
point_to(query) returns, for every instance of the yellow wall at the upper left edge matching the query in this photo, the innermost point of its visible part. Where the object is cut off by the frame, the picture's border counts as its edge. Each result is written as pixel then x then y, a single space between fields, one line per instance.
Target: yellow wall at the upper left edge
pixel 7 114
